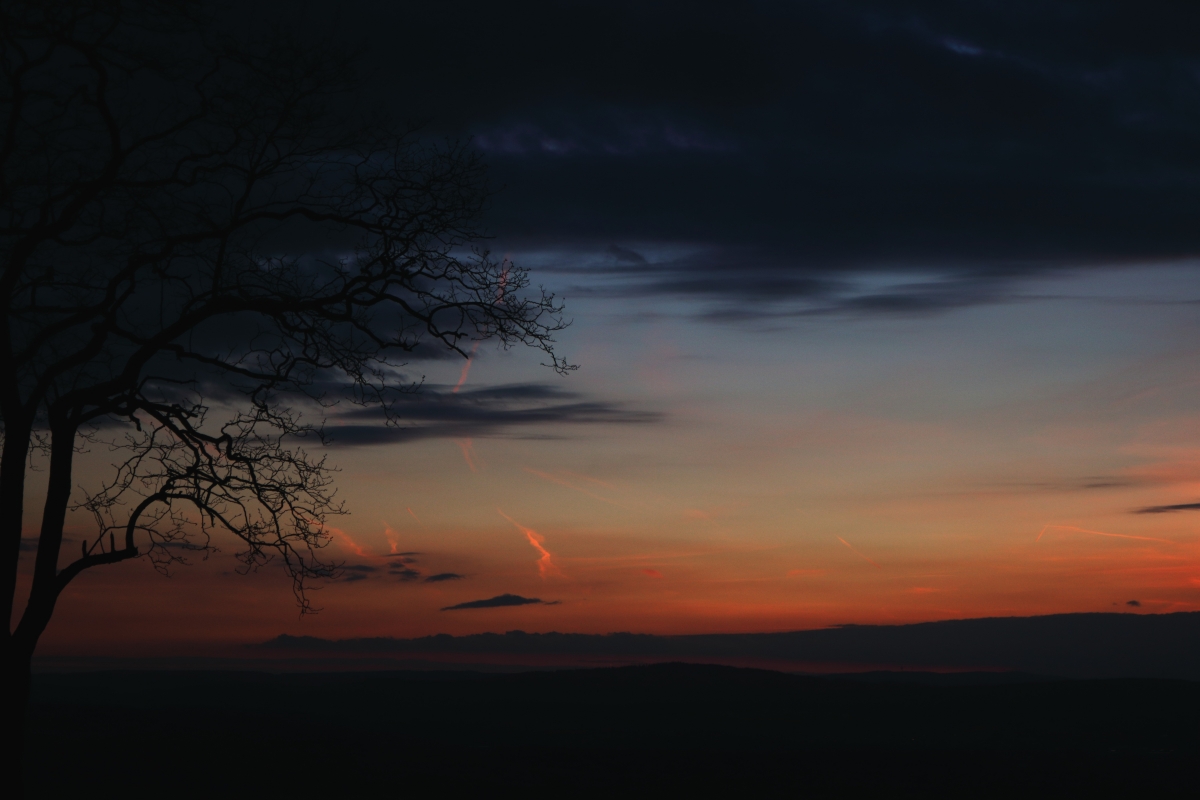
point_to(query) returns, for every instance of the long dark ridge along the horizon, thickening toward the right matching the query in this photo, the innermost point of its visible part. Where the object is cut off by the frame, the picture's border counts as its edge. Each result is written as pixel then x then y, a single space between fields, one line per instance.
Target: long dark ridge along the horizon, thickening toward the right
pixel 1072 646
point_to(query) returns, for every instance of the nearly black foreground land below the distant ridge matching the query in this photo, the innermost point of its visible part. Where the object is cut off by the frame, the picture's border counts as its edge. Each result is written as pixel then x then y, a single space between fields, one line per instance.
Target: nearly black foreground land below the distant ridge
pixel 675 730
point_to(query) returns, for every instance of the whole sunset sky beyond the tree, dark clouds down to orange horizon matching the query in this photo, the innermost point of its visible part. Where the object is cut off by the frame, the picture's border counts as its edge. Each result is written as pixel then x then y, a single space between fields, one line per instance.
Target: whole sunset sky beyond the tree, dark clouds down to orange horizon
pixel 885 312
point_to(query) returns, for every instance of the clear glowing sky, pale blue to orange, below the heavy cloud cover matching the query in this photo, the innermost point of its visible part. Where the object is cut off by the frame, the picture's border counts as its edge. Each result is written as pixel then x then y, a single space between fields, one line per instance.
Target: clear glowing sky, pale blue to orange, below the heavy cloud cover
pixel 988 462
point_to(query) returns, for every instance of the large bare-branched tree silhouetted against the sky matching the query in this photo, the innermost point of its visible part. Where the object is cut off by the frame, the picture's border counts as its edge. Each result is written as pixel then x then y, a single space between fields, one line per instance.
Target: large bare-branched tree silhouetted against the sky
pixel 202 238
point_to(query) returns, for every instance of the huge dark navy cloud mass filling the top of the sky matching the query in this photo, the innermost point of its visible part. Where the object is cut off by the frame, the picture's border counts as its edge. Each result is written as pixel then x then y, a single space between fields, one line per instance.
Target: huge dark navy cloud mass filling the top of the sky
pixel 977 145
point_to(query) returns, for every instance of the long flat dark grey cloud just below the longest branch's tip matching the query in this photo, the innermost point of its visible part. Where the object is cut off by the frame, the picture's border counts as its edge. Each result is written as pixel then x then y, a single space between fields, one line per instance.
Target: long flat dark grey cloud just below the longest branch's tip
pixel 435 412
